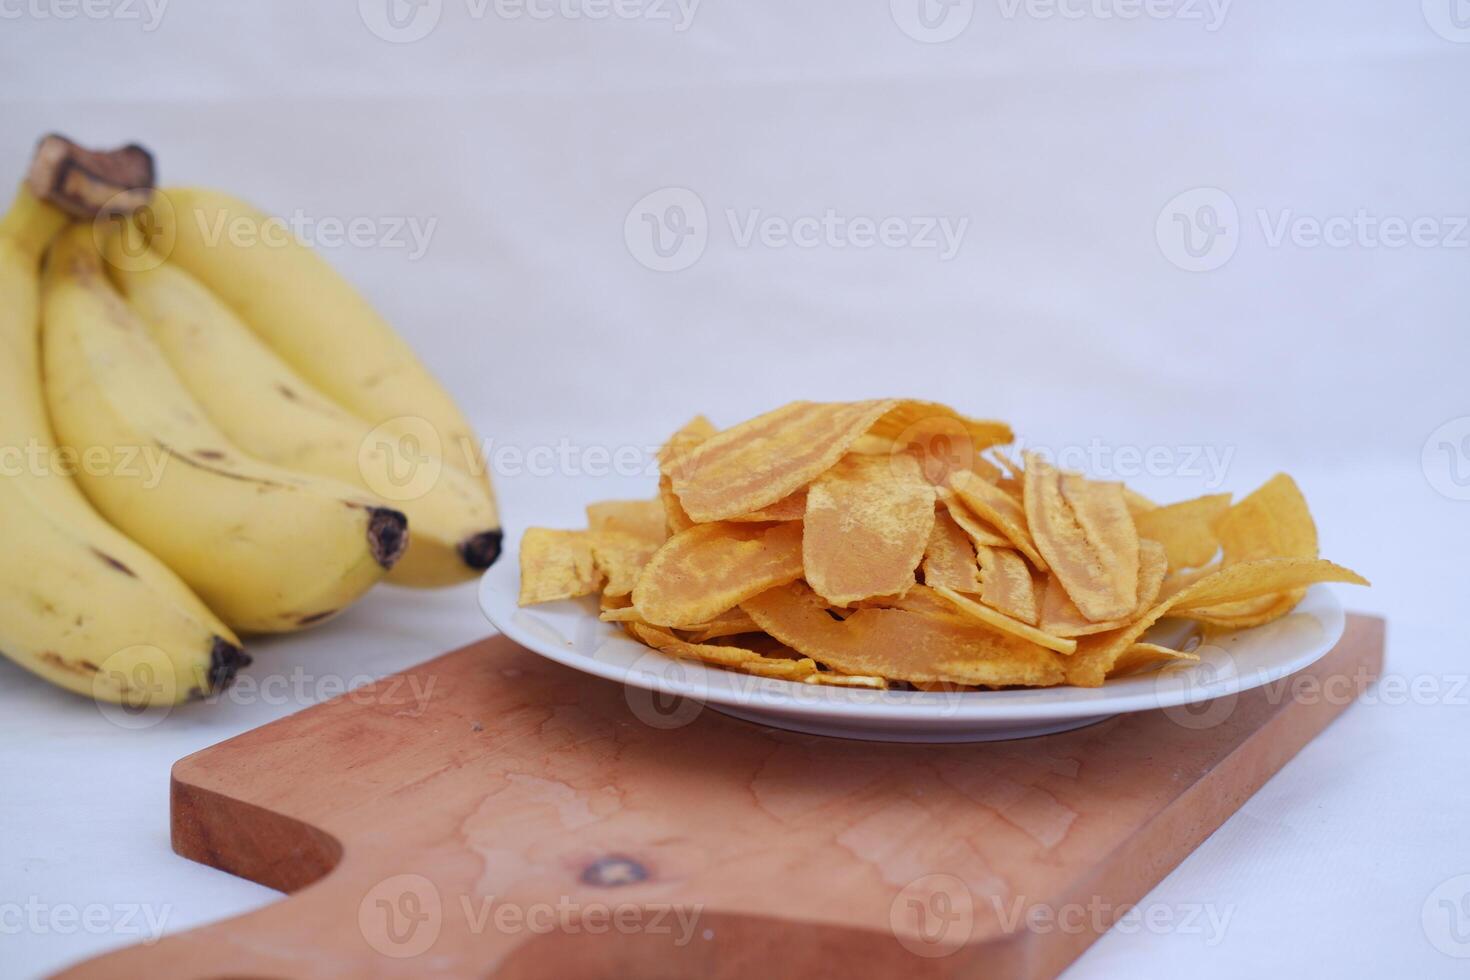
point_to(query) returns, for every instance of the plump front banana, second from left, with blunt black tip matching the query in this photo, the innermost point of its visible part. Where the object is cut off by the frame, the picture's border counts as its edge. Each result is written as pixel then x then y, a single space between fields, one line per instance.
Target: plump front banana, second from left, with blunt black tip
pixel 268 549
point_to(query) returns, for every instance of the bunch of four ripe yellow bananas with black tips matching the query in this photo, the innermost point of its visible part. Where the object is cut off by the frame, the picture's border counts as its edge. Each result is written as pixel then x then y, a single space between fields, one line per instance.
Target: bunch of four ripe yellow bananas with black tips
pixel 202 440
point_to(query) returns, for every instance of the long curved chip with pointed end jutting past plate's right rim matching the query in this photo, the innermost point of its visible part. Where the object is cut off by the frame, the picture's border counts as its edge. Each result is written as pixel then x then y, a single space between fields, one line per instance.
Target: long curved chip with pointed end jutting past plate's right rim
pixel 1097 655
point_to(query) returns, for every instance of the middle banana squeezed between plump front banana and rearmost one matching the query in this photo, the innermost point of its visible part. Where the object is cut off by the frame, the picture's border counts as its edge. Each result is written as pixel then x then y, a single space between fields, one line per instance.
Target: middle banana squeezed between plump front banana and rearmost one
pixel 276 415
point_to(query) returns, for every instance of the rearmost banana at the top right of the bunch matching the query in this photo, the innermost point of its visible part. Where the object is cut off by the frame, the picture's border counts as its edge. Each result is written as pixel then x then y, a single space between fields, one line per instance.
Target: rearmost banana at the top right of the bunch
pixel 309 315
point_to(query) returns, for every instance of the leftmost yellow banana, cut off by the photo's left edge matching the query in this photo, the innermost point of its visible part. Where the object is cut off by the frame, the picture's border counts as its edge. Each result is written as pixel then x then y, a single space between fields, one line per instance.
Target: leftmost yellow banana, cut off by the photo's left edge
pixel 82 605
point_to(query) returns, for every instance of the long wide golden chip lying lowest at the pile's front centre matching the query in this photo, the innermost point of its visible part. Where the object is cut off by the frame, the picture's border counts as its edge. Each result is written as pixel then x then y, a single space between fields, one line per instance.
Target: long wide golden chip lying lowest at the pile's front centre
pixel 900 646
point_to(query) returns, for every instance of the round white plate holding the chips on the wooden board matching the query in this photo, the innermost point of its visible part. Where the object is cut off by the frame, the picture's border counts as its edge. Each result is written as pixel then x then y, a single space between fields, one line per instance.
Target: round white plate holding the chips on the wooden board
pixel 668 693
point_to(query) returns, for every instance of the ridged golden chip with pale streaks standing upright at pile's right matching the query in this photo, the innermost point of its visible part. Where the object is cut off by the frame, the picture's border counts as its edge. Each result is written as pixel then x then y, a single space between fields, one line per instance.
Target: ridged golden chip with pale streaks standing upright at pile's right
pixel 1087 536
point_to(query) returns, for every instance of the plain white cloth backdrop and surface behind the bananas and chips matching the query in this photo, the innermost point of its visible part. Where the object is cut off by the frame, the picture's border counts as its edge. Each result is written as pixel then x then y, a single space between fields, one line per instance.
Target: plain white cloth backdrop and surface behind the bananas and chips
pixel 1061 140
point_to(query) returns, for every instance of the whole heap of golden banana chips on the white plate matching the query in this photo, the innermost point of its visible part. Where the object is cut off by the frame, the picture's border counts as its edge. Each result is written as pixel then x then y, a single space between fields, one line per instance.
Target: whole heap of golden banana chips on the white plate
pixel 894 543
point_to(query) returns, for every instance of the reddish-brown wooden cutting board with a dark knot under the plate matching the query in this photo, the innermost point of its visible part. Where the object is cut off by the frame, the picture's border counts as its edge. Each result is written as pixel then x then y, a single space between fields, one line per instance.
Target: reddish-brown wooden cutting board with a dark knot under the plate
pixel 492 813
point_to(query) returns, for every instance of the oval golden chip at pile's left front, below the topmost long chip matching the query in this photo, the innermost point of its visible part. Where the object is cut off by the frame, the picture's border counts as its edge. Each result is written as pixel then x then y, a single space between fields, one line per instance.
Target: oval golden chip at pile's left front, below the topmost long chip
pixel 708 569
